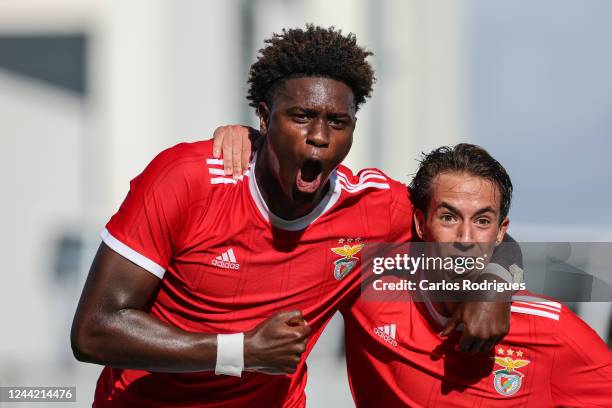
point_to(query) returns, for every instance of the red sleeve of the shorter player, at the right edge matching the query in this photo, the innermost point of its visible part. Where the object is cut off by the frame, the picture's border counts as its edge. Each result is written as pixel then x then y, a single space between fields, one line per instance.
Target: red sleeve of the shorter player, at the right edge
pixel 582 367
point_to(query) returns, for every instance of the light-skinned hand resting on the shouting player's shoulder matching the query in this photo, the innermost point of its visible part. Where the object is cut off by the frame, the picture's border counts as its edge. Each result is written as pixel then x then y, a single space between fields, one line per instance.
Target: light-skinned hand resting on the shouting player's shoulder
pixel 234 143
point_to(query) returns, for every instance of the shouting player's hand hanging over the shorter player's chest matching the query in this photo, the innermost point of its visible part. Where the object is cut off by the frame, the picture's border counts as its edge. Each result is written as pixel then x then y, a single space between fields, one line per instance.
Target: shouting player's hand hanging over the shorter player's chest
pixel 484 325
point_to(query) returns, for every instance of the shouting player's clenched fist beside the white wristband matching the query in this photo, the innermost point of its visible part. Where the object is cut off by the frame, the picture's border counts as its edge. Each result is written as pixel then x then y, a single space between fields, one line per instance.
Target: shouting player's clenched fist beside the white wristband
pixel 276 345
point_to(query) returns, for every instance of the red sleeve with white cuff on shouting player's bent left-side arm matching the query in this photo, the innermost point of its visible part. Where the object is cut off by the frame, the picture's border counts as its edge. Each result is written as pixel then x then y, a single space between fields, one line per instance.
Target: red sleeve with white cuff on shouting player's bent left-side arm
pixel 150 222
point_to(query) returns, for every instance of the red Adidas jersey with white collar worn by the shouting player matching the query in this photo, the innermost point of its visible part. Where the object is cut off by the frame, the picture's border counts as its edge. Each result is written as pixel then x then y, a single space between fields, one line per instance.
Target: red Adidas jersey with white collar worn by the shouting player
pixel 226 263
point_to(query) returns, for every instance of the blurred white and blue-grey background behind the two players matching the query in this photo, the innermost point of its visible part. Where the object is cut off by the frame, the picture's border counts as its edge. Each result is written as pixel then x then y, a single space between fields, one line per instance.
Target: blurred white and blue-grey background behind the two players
pixel 91 90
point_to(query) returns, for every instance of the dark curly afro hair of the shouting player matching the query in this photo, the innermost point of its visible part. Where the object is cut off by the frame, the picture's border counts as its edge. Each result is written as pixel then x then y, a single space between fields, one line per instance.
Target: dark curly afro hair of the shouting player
pixel 313 51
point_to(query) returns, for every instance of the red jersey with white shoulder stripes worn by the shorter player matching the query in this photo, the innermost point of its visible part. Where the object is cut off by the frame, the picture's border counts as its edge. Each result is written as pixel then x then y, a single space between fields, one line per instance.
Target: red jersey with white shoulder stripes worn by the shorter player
pixel 396 358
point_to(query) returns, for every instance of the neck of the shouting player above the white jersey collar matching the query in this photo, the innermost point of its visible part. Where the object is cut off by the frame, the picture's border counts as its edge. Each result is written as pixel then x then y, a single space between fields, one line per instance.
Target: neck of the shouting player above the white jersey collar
pixel 277 200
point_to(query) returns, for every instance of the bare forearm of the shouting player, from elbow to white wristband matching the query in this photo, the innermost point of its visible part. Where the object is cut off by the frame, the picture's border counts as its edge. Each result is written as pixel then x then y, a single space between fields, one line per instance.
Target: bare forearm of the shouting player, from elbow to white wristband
pixel 131 338
